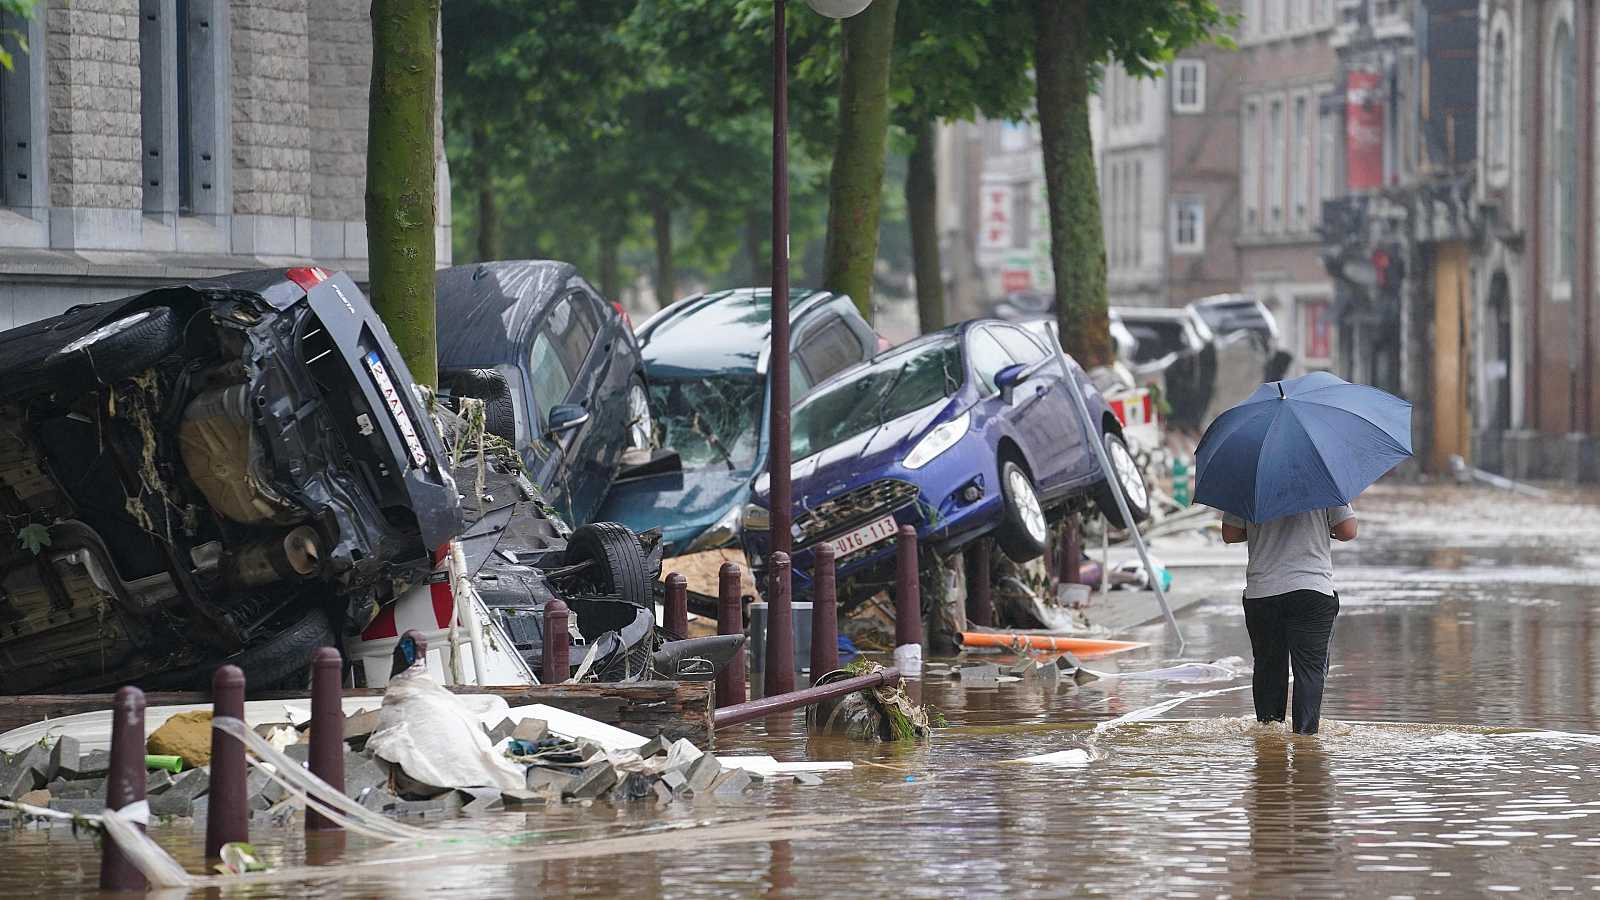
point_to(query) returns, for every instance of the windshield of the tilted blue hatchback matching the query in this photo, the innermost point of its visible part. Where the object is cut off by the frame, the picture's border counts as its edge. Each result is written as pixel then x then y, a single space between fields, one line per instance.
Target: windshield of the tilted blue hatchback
pixel 889 388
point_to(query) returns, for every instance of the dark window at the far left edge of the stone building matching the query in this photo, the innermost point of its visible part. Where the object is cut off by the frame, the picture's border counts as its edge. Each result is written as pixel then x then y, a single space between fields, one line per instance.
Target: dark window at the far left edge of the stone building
pixel 22 159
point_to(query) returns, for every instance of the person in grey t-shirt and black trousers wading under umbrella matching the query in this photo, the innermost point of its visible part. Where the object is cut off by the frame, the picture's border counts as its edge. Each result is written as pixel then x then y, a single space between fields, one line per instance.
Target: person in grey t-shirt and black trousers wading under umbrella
pixel 1290 606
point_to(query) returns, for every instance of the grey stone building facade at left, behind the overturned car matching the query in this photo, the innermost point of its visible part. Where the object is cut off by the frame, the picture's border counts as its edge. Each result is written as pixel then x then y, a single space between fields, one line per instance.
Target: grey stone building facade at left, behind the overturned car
pixel 145 142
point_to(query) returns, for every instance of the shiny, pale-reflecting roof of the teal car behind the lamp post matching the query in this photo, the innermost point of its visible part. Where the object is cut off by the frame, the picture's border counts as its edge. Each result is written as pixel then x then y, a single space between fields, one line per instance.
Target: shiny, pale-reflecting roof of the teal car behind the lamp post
pixel 719 332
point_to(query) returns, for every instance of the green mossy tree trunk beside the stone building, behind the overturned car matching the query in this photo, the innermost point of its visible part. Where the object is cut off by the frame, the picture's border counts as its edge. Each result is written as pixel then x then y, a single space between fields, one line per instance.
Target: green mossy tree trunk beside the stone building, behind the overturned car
pixel 401 169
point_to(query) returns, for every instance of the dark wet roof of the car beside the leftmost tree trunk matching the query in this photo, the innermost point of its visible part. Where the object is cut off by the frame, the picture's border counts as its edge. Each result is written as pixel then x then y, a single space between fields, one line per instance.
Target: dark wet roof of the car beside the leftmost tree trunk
pixel 486 310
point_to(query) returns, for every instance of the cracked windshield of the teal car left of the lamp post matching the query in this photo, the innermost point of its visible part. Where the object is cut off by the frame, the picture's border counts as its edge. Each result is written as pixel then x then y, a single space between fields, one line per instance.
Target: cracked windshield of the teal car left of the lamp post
pixel 710 420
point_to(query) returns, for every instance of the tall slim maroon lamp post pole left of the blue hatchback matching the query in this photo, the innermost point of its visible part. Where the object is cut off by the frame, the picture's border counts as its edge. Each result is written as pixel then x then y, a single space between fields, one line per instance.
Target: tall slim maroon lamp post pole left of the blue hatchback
pixel 778 456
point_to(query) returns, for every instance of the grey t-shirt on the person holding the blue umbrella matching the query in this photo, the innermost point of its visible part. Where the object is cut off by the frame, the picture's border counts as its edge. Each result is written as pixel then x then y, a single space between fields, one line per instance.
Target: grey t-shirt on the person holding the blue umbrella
pixel 1294 553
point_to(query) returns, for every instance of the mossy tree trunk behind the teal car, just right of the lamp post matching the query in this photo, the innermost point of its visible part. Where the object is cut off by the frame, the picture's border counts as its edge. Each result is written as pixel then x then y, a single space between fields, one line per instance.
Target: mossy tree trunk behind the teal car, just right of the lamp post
pixel 855 191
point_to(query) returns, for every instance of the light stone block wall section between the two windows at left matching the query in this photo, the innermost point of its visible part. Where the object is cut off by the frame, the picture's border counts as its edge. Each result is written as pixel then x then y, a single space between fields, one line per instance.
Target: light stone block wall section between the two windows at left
pixel 94 98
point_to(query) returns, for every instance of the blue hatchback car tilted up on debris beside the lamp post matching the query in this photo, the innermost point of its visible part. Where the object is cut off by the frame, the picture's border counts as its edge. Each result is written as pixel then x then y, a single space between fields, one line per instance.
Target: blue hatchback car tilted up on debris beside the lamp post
pixel 964 433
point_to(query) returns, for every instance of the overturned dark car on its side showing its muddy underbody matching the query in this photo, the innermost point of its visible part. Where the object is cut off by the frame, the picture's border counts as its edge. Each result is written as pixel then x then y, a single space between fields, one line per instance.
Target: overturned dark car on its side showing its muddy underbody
pixel 225 470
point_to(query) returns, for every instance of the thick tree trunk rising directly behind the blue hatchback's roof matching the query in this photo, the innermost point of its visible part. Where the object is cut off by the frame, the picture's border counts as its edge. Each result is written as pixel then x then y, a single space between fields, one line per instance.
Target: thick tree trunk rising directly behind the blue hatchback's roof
pixel 1078 246
